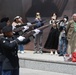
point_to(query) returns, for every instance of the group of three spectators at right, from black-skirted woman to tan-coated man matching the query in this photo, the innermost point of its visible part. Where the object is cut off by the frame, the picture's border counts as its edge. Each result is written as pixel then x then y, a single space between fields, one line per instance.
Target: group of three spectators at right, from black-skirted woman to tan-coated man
pixel 61 38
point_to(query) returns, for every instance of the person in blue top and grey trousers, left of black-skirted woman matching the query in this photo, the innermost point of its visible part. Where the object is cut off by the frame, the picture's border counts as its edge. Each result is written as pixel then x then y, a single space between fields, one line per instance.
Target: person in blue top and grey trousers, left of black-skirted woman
pixel 38 38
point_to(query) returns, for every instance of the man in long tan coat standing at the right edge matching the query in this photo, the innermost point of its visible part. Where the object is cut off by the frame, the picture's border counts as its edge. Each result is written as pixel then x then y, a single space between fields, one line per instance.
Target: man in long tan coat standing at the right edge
pixel 71 34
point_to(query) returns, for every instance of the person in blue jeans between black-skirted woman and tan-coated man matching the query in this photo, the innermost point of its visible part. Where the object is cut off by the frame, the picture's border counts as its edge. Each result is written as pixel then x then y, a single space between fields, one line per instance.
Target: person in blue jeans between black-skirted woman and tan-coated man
pixel 62 37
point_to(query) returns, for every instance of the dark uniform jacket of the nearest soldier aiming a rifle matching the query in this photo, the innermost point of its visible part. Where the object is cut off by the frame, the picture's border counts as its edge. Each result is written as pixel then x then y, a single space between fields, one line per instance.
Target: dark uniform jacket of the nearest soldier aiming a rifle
pixel 9 47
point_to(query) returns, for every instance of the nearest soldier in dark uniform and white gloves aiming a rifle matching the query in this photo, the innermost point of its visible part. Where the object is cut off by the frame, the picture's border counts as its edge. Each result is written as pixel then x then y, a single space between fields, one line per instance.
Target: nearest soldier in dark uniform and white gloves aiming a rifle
pixel 9 48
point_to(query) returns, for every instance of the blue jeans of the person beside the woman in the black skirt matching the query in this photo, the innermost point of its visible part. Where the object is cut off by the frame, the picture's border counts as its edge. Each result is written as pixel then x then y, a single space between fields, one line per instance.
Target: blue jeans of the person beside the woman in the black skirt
pixel 62 46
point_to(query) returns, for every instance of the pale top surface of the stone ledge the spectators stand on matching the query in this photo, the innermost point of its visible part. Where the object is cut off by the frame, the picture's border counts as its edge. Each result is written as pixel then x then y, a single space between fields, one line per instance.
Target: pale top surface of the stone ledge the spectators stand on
pixel 42 57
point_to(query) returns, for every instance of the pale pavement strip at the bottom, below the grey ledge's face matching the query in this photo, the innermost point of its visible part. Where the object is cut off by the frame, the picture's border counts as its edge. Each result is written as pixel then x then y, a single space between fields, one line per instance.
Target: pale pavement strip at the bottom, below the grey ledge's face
pixel 24 71
